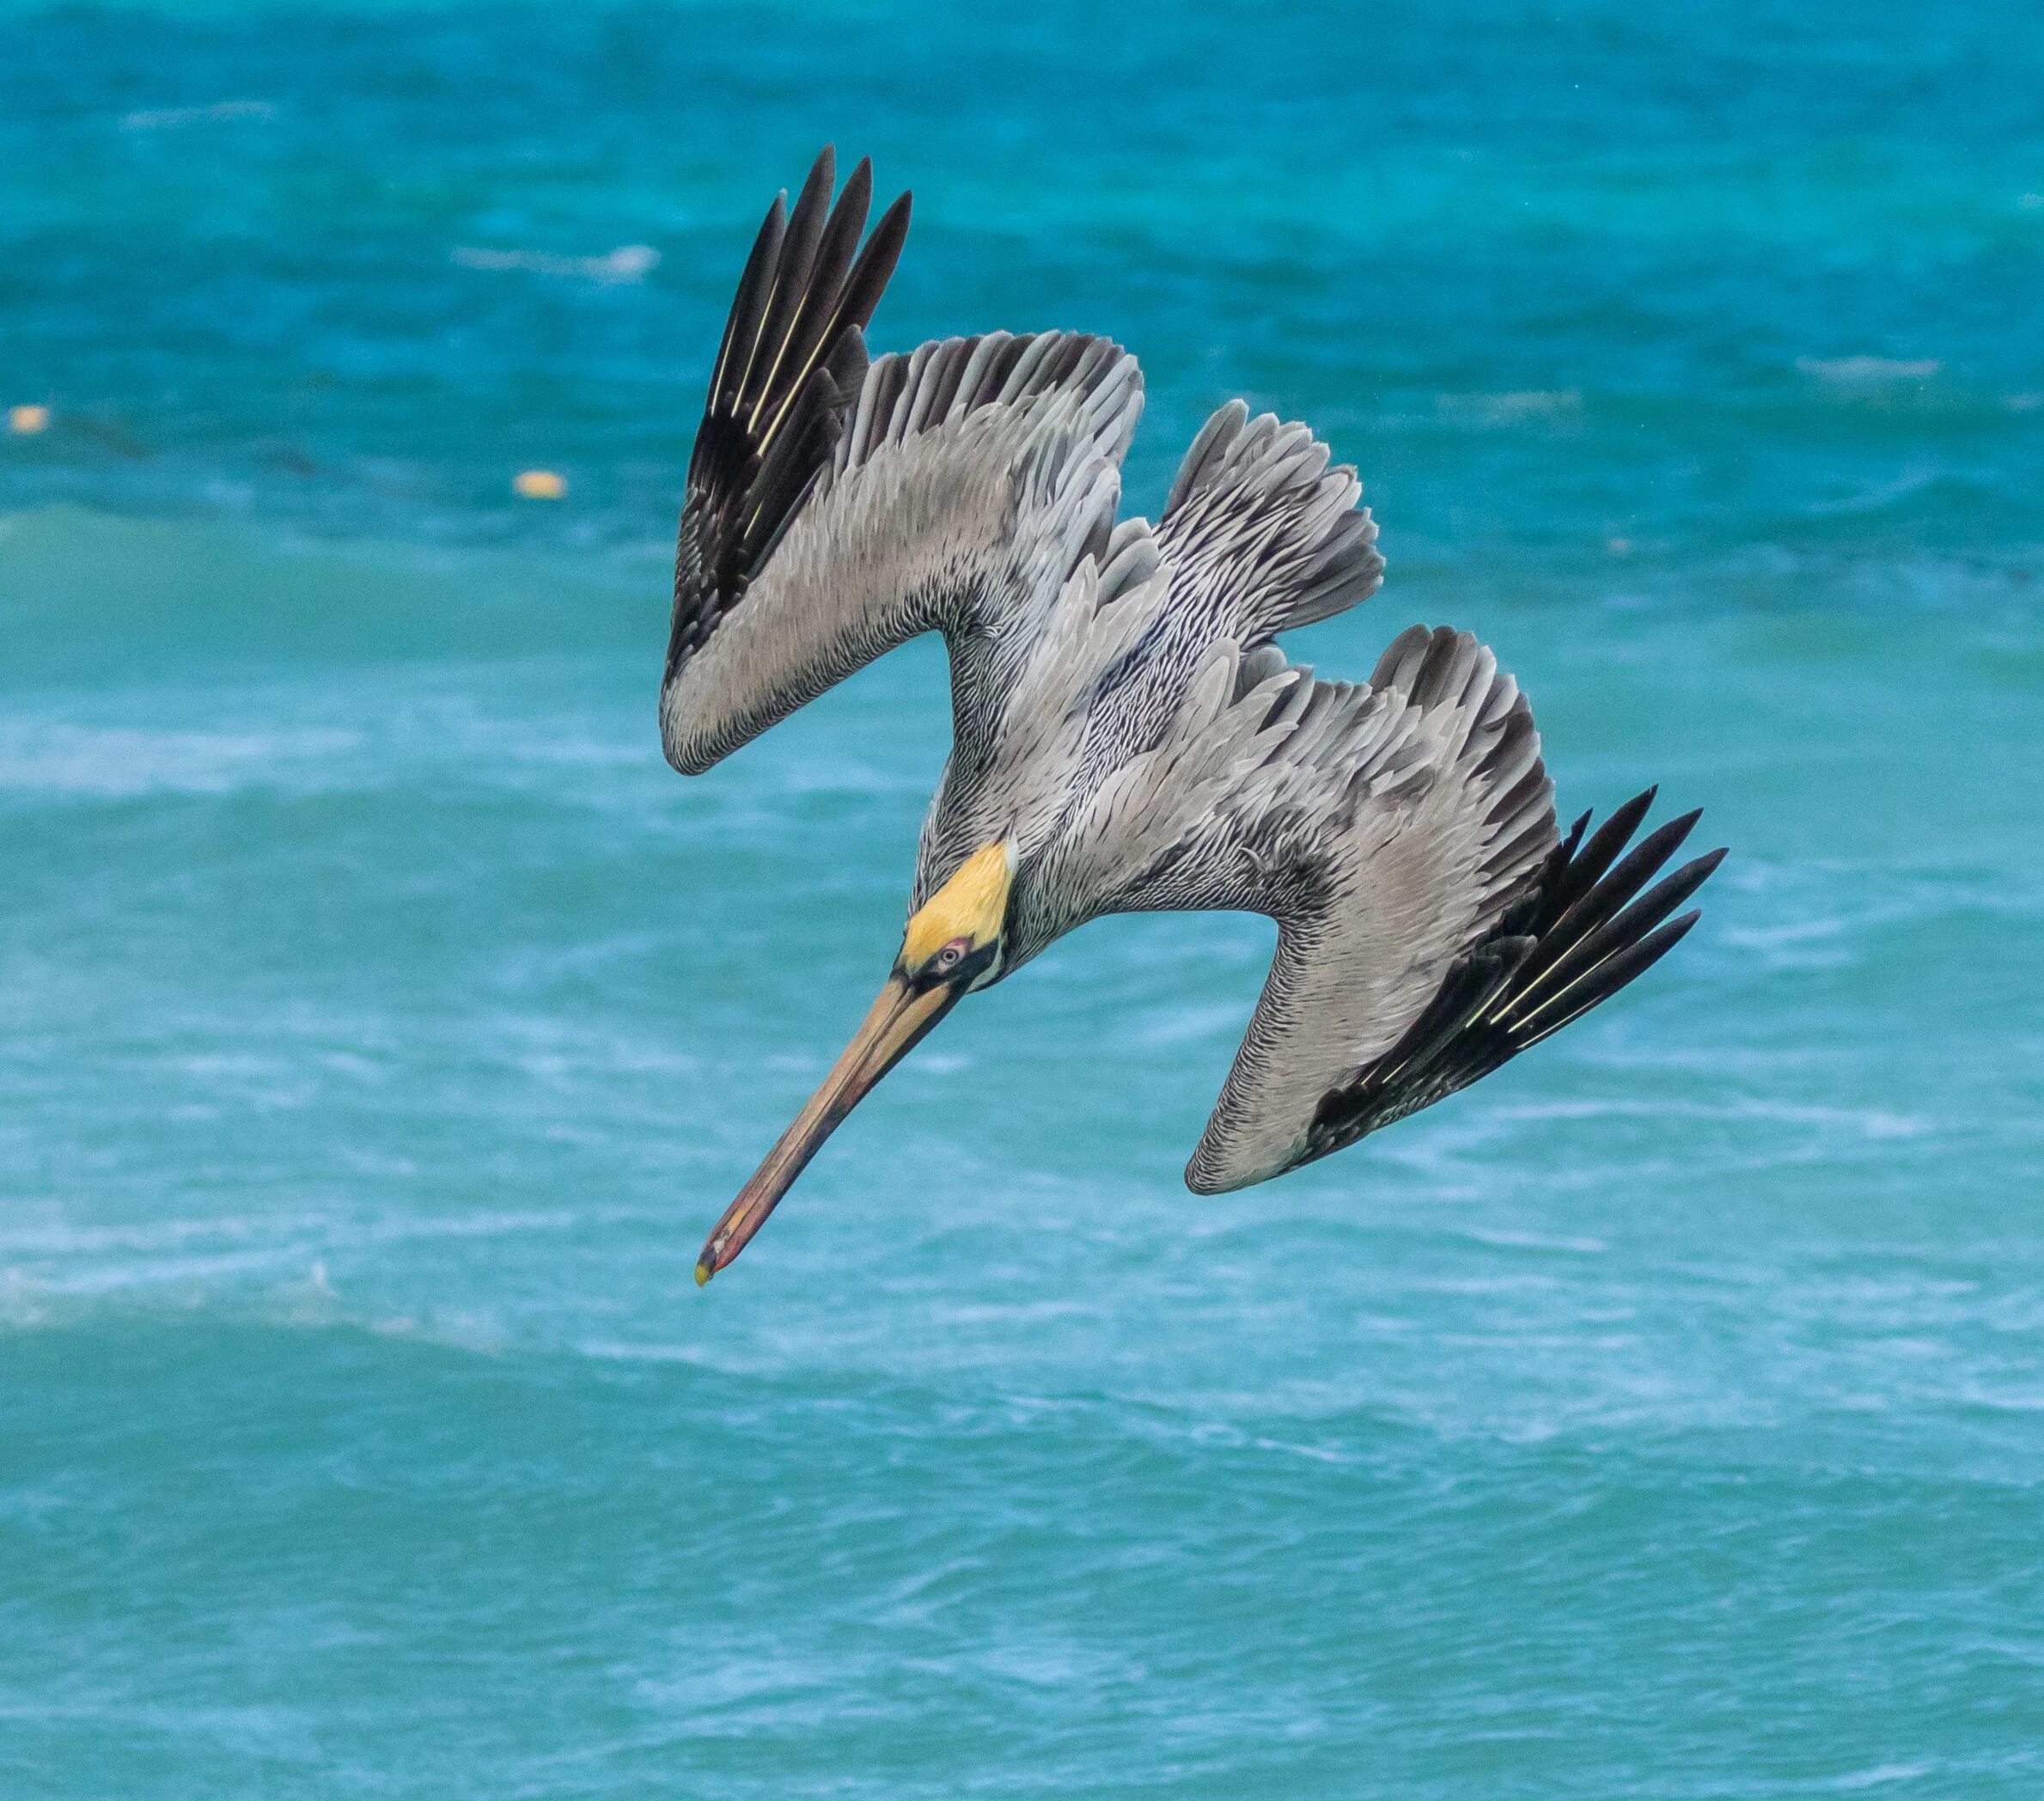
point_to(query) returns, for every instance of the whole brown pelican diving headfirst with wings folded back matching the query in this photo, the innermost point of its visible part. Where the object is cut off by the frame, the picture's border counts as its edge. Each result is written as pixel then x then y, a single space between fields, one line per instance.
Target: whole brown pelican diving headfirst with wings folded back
pixel 1127 733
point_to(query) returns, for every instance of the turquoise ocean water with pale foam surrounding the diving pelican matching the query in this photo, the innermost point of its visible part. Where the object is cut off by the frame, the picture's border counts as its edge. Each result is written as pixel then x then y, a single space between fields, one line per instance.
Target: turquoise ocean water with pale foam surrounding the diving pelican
pixel 383 1025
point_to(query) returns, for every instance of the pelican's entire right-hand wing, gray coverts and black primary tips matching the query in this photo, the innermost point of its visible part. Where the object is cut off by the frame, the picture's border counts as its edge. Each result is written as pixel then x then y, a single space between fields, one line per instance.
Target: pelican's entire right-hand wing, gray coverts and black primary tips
pixel 1432 925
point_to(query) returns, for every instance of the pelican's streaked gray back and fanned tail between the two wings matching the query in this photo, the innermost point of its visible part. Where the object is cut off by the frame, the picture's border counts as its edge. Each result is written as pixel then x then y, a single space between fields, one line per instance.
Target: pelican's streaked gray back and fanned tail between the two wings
pixel 1152 690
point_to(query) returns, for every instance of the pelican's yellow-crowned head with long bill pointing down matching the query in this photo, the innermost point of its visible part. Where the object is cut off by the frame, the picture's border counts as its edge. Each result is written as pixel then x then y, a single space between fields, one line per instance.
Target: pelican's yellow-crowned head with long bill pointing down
pixel 954 945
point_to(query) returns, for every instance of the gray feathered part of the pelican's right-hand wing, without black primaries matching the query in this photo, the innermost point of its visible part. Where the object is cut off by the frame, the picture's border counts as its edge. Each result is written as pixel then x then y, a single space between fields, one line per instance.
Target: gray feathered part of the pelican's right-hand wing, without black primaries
pixel 1387 833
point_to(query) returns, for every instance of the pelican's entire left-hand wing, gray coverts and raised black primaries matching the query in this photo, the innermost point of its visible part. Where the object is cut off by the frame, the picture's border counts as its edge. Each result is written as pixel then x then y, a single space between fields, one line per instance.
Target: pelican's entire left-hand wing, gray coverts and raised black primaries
pixel 837 510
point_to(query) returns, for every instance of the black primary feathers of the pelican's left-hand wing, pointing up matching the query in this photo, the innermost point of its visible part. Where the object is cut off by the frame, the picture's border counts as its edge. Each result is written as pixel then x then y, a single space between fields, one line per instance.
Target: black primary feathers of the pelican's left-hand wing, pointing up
pixel 788 373
